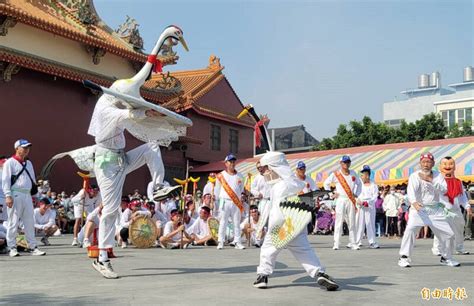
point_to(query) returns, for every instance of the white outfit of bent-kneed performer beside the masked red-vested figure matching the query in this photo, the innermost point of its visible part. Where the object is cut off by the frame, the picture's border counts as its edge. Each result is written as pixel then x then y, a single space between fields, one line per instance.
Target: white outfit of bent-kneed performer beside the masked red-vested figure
pixel 432 213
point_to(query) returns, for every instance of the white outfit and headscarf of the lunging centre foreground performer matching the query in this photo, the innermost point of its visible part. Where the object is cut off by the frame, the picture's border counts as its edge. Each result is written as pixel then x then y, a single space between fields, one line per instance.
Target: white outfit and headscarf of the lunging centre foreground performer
pixel 300 248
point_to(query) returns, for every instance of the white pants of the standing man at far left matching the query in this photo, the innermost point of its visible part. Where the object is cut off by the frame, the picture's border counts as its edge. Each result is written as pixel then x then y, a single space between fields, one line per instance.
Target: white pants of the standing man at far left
pixel 22 210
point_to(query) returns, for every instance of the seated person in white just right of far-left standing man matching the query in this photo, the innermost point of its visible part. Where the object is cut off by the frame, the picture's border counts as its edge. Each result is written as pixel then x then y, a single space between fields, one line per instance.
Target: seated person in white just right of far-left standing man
pixel 44 218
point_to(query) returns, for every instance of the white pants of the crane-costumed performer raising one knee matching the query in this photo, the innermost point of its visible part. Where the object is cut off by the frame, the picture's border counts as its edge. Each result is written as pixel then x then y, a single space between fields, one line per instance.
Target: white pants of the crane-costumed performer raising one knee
pixel 110 178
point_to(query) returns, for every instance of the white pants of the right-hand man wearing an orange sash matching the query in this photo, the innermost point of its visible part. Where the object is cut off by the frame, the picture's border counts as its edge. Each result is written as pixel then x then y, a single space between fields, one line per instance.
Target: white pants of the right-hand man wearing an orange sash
pixel 344 211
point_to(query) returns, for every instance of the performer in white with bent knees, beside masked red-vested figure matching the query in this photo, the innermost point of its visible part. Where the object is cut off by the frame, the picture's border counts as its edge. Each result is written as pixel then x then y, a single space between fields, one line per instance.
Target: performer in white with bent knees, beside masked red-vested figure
pixel 424 190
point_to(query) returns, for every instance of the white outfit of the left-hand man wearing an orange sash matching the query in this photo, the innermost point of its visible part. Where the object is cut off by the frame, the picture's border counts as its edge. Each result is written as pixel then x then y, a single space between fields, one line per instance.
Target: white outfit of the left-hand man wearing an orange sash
pixel 227 208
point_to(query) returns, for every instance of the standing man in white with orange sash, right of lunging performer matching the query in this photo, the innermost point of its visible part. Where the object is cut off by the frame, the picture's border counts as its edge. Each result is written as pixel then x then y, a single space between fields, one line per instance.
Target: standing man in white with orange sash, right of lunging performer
pixel 348 188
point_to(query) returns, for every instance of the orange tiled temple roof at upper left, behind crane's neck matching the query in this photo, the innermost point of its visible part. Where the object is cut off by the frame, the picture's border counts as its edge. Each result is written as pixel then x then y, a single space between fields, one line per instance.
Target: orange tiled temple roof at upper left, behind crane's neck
pixel 54 17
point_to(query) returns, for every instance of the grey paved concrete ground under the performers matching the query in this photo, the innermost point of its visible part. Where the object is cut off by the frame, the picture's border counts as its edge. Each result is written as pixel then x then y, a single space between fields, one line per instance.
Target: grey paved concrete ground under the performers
pixel 206 276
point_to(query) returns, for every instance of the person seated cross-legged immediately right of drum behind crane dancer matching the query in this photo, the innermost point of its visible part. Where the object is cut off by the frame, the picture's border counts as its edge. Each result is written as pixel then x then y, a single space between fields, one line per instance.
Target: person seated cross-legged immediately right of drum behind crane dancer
pixel 173 231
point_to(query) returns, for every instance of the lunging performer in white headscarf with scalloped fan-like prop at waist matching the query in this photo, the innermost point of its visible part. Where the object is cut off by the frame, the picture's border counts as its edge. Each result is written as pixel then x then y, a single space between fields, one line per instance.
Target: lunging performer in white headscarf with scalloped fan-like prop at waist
pixel 284 184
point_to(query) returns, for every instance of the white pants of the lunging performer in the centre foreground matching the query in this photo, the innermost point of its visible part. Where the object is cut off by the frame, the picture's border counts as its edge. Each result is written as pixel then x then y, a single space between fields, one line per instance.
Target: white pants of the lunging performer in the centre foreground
pixel 299 247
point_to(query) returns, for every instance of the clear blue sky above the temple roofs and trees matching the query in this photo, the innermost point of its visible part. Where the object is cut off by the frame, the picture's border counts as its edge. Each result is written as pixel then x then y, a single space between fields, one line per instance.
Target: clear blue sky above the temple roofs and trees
pixel 317 63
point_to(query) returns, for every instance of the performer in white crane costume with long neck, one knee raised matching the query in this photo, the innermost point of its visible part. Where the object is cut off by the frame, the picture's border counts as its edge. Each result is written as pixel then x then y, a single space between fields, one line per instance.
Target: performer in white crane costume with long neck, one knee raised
pixel 122 108
